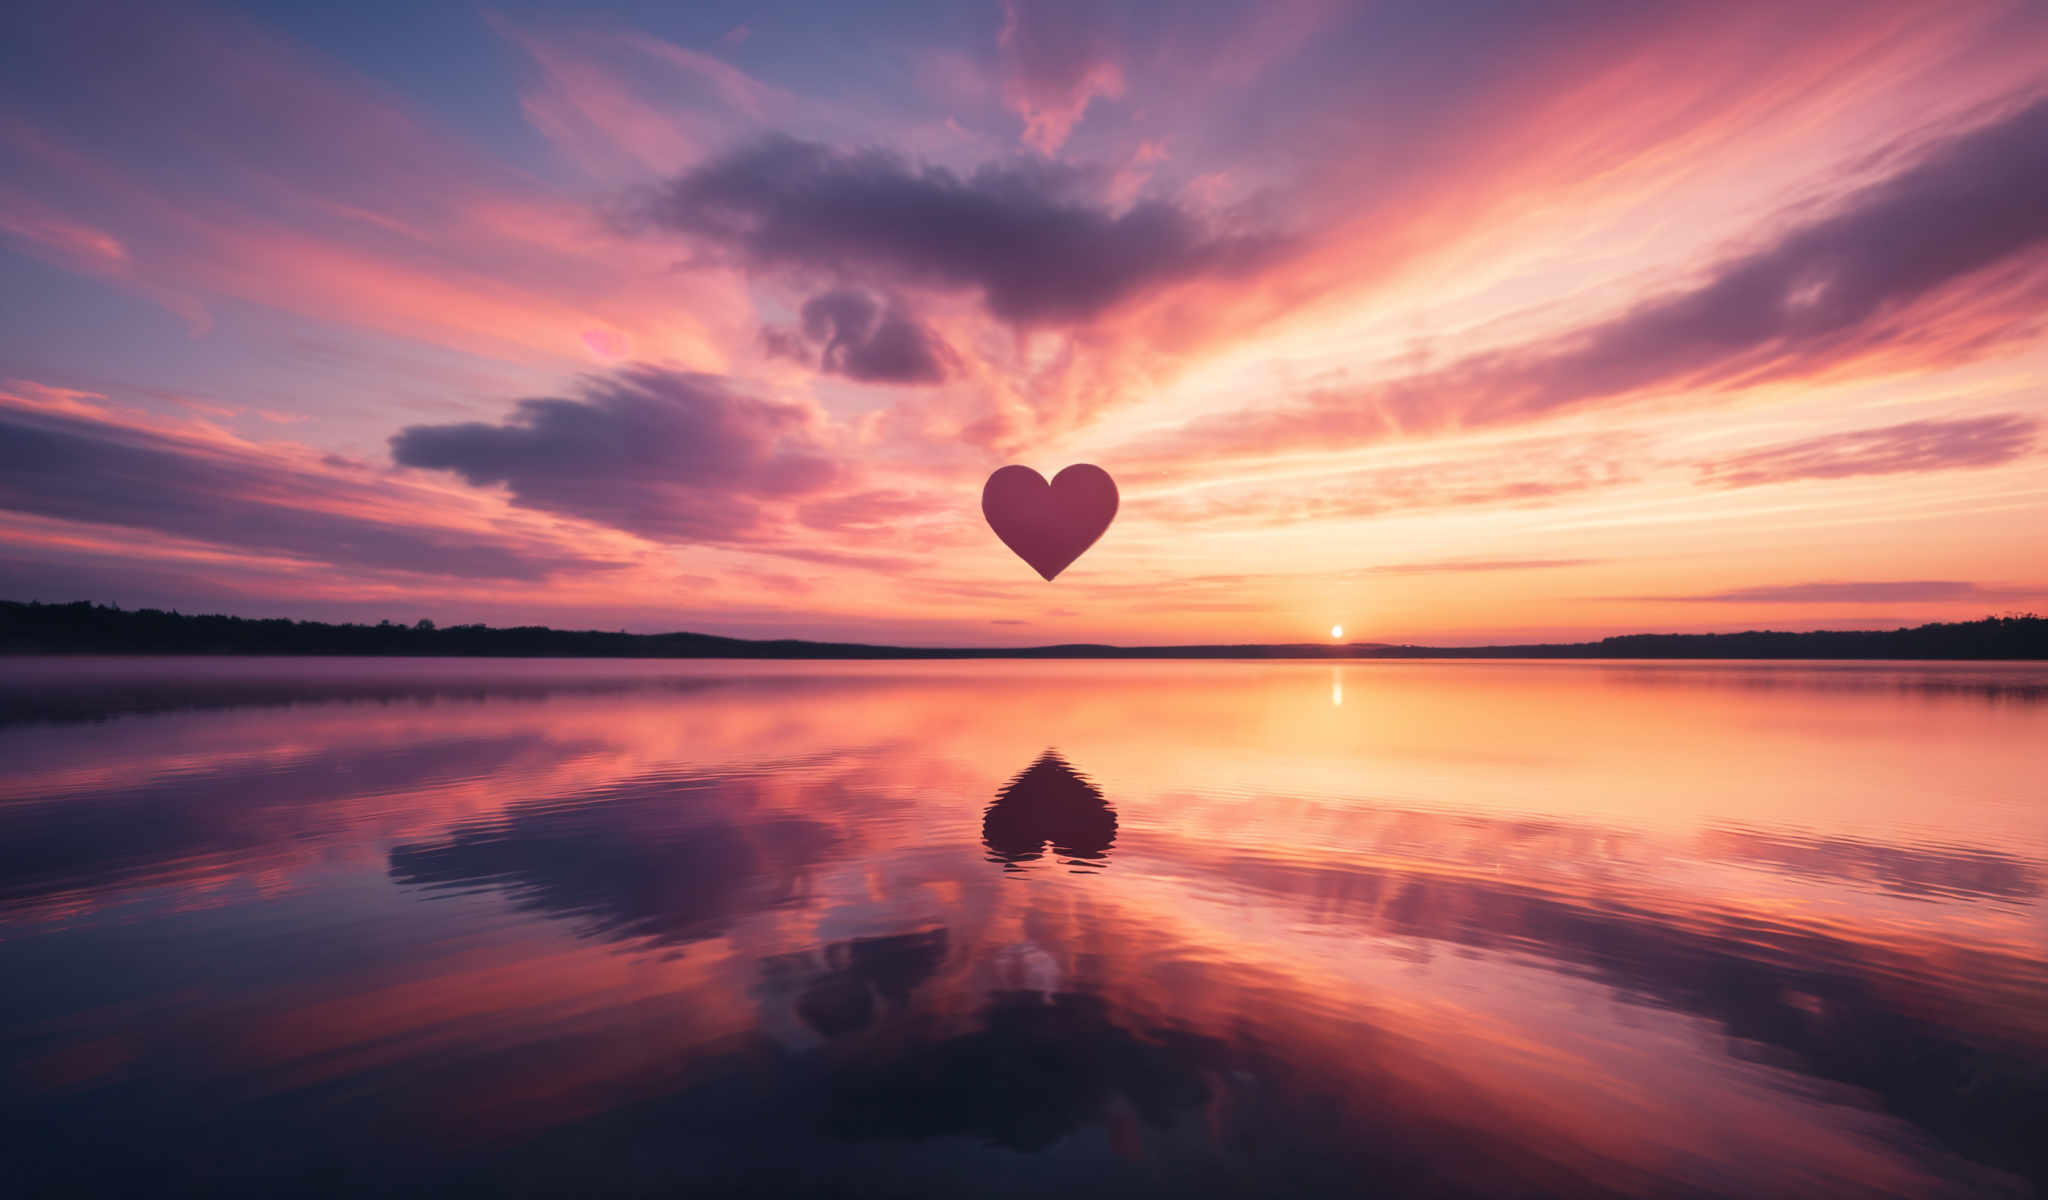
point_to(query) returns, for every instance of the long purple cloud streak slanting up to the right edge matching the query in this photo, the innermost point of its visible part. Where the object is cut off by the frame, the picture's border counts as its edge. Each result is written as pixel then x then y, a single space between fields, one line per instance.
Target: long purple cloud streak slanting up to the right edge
pixel 1873 275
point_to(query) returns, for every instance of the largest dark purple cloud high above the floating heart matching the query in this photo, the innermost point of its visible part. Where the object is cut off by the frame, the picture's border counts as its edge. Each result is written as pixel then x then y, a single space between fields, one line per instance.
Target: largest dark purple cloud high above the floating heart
pixel 1023 237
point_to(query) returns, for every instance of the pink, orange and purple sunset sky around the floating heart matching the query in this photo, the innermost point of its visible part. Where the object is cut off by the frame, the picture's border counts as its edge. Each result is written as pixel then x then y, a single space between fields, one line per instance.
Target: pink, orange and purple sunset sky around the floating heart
pixel 1439 323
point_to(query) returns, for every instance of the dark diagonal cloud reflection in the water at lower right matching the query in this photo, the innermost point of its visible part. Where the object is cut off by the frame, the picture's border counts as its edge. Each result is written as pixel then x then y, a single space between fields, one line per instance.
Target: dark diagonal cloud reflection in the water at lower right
pixel 1883 1021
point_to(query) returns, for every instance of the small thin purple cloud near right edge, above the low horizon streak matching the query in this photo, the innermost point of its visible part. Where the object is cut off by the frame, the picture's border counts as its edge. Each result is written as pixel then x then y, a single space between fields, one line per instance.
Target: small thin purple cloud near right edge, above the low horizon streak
pixel 1932 445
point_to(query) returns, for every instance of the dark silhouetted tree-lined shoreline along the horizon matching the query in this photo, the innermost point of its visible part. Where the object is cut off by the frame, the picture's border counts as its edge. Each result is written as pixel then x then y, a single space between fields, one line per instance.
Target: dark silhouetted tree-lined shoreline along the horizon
pixel 97 630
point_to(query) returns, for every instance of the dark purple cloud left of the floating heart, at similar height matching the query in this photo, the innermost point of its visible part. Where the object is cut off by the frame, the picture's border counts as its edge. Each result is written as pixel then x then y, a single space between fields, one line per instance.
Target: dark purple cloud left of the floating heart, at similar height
pixel 658 454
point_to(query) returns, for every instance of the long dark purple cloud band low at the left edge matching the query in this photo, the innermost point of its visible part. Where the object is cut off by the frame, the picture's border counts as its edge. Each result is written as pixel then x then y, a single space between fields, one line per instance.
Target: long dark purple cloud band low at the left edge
pixel 85 468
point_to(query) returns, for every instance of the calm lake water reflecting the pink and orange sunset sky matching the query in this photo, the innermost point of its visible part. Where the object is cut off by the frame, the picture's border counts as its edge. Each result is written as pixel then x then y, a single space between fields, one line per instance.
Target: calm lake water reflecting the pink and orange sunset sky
pixel 986 929
